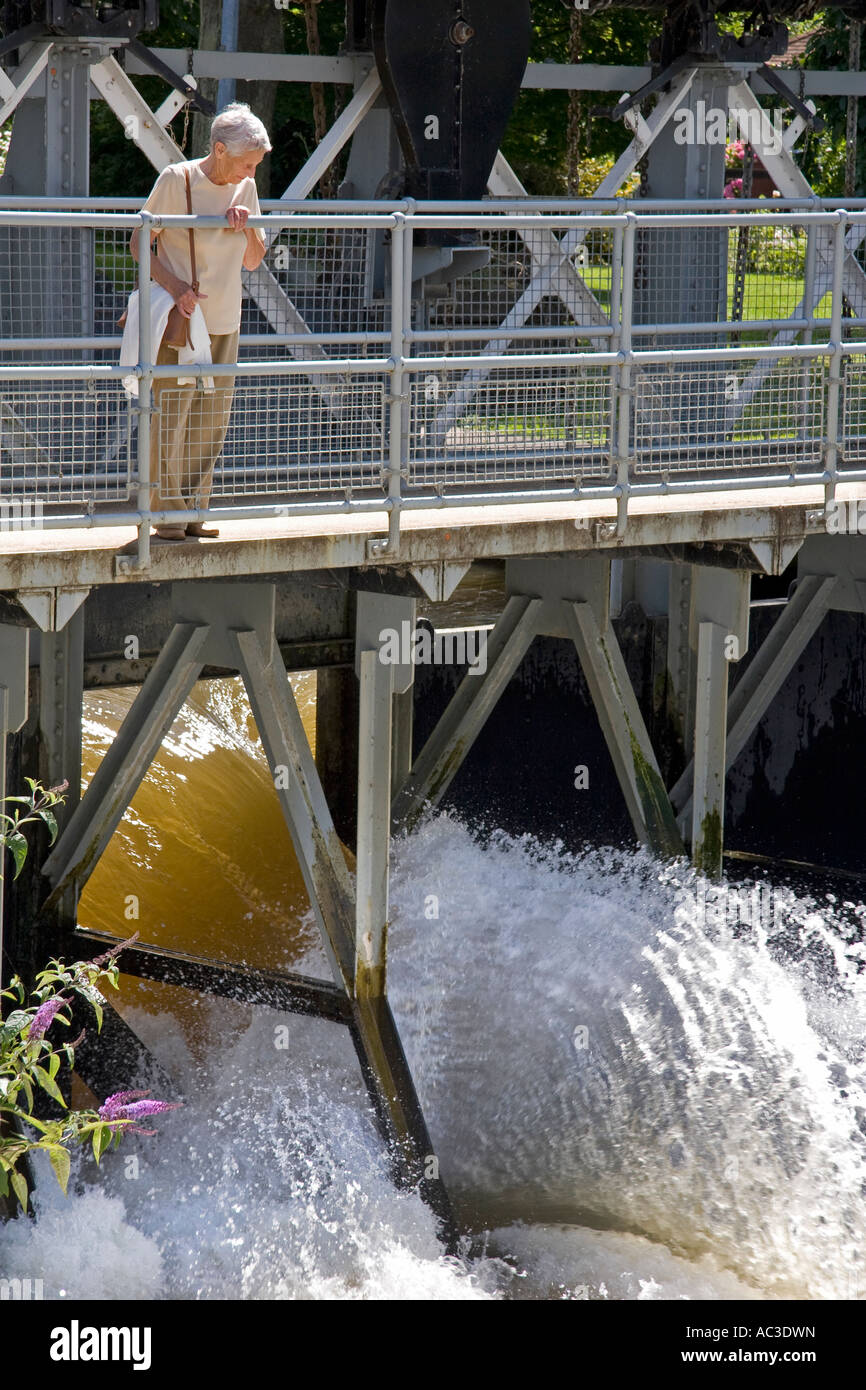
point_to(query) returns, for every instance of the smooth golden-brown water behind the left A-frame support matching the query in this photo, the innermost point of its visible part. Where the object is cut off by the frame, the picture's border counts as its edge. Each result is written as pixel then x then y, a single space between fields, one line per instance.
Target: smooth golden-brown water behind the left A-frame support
pixel 202 861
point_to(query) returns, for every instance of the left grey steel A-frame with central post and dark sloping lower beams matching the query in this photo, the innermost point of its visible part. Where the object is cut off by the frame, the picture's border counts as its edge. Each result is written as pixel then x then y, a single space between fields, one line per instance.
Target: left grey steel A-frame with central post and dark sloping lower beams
pixel 233 626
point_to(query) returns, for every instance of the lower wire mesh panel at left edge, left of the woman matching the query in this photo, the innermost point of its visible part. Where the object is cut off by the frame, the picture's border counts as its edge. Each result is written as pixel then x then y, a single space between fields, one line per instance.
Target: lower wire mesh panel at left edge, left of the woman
pixel 66 441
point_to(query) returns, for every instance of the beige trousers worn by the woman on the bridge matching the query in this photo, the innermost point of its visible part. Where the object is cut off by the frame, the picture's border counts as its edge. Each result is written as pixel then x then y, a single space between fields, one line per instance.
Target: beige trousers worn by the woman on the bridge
pixel 188 429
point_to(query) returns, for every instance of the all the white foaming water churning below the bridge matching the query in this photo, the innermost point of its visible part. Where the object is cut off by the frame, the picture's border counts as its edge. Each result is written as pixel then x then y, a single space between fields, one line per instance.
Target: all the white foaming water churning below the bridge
pixel 626 1104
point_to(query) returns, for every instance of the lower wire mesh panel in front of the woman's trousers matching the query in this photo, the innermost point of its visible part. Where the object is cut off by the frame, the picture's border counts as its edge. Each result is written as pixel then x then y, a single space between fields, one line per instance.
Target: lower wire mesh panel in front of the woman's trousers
pixel 279 437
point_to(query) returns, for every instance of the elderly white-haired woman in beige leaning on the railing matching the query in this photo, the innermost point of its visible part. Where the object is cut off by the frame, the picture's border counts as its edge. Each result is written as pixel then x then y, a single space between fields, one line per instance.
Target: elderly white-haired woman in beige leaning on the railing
pixel 190 426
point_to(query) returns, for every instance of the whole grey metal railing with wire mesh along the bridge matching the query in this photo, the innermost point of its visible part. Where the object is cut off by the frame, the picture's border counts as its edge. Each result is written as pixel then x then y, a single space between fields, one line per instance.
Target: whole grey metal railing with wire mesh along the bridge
pixel 397 357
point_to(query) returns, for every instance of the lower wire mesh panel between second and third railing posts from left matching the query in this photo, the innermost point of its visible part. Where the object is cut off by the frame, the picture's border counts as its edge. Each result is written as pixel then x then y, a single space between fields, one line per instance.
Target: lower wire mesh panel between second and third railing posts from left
pixel 515 426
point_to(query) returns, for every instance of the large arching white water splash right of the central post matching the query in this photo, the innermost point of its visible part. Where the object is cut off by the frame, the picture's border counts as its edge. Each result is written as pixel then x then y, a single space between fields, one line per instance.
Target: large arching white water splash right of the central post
pixel 590 1049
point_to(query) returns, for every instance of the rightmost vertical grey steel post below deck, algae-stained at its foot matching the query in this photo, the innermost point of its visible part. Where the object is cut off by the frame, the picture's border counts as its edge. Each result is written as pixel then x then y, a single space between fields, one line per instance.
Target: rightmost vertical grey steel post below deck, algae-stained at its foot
pixel 711 730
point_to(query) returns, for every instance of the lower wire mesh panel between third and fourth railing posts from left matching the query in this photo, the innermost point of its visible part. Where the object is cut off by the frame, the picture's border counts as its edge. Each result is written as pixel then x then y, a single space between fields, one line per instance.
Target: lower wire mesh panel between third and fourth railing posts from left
pixel 761 414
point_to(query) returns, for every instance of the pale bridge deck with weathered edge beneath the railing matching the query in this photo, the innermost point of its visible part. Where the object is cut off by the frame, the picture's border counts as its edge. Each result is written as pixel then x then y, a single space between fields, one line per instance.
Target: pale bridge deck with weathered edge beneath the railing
pixel 779 516
